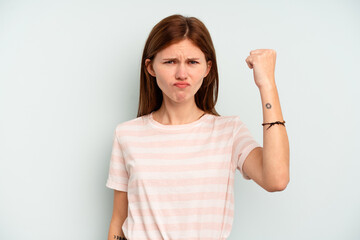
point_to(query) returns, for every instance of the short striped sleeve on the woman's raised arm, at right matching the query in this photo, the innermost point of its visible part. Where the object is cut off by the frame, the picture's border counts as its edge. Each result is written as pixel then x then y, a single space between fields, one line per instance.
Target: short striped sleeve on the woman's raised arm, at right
pixel 243 144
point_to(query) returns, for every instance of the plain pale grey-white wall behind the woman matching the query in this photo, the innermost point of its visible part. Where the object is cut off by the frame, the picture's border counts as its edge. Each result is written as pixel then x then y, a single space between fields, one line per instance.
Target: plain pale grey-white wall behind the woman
pixel 69 73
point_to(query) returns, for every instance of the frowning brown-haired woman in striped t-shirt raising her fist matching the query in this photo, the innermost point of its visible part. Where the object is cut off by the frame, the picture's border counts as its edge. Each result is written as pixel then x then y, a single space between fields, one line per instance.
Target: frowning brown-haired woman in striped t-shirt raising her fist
pixel 172 168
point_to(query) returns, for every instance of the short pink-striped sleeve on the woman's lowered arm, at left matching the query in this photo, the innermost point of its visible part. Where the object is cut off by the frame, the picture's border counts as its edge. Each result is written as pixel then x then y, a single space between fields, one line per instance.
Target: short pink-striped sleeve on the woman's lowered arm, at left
pixel 118 175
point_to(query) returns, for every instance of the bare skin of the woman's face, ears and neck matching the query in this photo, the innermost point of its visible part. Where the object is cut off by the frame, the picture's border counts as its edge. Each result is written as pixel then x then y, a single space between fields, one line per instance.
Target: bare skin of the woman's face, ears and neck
pixel 179 62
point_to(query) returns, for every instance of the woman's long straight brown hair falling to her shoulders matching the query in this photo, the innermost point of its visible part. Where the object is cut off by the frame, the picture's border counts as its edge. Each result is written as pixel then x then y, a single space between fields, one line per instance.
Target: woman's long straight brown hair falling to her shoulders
pixel 173 29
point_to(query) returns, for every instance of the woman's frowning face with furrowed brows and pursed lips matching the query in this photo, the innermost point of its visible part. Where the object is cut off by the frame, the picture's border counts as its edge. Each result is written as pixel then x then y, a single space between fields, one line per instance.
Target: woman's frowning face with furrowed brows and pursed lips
pixel 181 62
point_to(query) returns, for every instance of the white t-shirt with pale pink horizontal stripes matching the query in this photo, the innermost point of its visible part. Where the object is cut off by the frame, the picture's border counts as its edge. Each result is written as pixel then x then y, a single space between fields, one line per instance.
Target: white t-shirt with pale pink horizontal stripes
pixel 179 178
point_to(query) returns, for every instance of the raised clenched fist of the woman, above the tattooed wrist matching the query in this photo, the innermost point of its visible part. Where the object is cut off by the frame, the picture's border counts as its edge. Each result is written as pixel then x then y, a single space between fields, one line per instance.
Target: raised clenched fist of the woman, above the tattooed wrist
pixel 263 63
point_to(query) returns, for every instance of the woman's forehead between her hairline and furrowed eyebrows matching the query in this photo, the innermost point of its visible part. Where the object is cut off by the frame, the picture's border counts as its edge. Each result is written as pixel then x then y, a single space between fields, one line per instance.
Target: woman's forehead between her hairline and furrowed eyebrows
pixel 183 48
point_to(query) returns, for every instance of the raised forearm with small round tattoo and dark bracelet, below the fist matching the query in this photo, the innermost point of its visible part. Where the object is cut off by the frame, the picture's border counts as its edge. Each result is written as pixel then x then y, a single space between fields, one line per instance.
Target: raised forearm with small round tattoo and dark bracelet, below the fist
pixel 275 141
